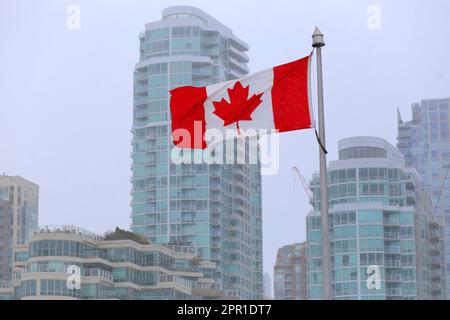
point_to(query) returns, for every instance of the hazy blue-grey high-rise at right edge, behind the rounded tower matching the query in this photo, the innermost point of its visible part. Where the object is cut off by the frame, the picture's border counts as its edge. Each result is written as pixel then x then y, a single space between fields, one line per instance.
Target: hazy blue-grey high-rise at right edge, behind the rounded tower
pixel 425 143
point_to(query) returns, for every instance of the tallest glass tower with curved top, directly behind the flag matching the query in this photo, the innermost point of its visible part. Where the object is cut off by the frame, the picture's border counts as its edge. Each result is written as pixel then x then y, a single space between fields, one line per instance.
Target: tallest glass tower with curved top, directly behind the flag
pixel 215 208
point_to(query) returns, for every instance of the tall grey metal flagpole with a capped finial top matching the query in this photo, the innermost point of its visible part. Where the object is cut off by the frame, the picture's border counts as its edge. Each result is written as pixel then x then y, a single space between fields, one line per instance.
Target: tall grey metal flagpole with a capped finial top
pixel 318 43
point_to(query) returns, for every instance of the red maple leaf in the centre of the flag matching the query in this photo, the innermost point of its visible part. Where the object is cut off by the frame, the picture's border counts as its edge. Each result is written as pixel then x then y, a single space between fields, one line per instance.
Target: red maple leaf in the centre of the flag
pixel 240 108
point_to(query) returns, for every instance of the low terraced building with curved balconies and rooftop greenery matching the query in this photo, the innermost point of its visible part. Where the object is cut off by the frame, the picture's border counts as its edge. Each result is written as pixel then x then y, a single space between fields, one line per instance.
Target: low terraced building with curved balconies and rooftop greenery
pixel 117 269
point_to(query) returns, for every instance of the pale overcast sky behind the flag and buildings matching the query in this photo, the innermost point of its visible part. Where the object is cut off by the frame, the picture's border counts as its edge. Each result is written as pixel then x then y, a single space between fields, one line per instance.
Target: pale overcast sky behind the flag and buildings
pixel 66 96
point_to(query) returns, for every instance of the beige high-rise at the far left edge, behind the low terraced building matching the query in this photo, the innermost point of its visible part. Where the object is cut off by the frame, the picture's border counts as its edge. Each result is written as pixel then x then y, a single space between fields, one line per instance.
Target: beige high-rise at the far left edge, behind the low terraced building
pixel 19 201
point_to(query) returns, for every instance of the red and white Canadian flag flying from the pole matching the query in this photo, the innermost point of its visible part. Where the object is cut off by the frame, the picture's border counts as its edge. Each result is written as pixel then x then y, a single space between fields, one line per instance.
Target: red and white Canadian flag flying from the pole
pixel 276 98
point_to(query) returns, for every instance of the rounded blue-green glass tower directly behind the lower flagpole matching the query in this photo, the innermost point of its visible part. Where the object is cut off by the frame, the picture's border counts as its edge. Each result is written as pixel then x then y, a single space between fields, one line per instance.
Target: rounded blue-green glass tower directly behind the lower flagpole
pixel 381 216
